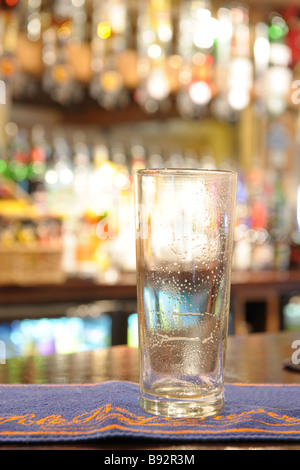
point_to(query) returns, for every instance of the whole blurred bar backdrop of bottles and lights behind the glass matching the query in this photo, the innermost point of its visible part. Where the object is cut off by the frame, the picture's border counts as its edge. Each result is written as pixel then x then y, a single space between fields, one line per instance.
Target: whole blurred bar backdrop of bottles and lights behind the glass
pixel 92 90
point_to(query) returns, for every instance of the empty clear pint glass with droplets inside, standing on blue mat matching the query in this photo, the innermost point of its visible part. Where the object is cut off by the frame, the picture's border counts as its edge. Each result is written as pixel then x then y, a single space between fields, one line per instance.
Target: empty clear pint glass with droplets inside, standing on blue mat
pixel 184 236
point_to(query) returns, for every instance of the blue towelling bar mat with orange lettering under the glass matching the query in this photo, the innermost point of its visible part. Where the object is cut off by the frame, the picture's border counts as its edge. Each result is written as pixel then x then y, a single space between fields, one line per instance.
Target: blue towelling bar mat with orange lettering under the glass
pixel 40 413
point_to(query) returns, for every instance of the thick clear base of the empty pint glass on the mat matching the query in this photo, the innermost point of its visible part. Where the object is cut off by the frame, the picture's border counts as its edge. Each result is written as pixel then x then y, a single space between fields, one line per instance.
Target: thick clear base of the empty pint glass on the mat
pixel 188 408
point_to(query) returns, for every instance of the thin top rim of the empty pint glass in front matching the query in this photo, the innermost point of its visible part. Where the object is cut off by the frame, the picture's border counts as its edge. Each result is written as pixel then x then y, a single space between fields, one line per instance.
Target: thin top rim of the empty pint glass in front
pixel 183 172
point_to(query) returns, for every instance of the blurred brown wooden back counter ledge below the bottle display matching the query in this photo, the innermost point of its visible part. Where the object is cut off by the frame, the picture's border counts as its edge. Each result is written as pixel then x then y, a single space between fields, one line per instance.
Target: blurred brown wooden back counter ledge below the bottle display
pixel 271 289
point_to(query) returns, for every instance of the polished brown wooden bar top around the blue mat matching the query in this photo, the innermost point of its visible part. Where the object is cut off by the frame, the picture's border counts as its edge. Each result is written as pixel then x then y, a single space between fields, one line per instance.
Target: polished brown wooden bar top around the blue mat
pixel 253 358
